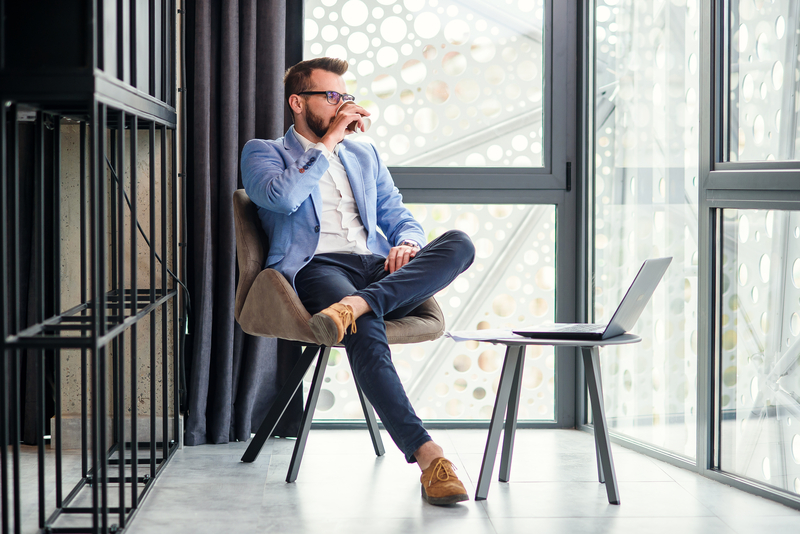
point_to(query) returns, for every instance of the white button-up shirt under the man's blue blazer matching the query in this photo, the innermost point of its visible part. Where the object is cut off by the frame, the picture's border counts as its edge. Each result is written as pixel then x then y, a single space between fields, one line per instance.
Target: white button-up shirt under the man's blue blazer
pixel 341 229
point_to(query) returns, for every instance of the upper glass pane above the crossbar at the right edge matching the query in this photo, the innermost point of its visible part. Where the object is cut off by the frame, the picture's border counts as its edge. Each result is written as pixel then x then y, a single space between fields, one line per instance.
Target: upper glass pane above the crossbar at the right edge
pixel 764 79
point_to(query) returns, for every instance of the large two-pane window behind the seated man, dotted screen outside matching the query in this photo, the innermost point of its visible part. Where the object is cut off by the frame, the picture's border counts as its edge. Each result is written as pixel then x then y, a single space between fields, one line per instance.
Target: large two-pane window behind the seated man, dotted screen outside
pixel 459 94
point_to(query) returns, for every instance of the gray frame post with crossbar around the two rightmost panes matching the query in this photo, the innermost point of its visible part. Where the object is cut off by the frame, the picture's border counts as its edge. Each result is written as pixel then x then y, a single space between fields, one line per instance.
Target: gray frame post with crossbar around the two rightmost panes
pixel 726 185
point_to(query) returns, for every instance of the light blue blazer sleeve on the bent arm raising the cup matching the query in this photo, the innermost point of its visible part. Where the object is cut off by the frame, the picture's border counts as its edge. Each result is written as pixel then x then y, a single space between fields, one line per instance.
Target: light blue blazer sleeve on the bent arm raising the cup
pixel 276 184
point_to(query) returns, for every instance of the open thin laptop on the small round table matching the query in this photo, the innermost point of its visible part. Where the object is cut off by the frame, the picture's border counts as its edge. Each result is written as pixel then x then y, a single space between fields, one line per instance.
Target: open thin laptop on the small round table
pixel 626 315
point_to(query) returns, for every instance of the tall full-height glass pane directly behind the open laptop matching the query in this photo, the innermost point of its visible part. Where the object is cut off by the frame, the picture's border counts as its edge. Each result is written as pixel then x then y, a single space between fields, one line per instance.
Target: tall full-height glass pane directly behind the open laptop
pixel 645 194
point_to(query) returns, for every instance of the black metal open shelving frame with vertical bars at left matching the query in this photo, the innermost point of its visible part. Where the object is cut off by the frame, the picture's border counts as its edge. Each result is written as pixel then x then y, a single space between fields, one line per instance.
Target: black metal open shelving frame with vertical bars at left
pixel 105 105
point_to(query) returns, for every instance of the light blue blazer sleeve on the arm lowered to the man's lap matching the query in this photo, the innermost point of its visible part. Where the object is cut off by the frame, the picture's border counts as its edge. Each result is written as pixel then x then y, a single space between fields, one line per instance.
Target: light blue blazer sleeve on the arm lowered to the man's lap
pixel 394 218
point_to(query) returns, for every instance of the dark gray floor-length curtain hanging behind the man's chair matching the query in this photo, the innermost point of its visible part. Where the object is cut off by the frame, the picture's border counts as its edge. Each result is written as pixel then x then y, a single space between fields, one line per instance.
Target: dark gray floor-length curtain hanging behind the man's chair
pixel 236 54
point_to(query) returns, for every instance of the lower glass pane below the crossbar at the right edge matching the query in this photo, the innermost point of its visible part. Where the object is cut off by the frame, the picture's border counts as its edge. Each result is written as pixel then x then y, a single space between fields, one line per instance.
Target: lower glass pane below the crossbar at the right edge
pixel 760 391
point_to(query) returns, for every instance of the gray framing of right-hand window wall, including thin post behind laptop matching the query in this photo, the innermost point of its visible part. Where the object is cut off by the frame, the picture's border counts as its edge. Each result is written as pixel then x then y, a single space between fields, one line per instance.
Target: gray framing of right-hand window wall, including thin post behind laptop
pixel 722 185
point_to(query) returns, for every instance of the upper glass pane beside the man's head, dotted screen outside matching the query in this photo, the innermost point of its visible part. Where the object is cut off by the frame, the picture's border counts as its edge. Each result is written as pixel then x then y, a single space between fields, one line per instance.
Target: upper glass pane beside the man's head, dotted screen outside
pixel 447 82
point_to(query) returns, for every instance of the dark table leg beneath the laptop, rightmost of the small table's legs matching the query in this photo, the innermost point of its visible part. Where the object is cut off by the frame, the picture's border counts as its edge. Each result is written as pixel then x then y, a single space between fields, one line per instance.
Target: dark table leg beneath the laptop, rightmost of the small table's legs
pixel 591 361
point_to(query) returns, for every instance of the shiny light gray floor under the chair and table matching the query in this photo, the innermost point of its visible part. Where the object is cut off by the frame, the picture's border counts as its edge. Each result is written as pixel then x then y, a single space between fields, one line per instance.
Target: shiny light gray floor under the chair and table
pixel 344 488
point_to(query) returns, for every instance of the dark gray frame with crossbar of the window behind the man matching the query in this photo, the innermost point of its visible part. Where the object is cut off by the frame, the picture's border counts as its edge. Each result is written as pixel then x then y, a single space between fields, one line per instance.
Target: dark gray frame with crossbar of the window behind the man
pixel 550 184
